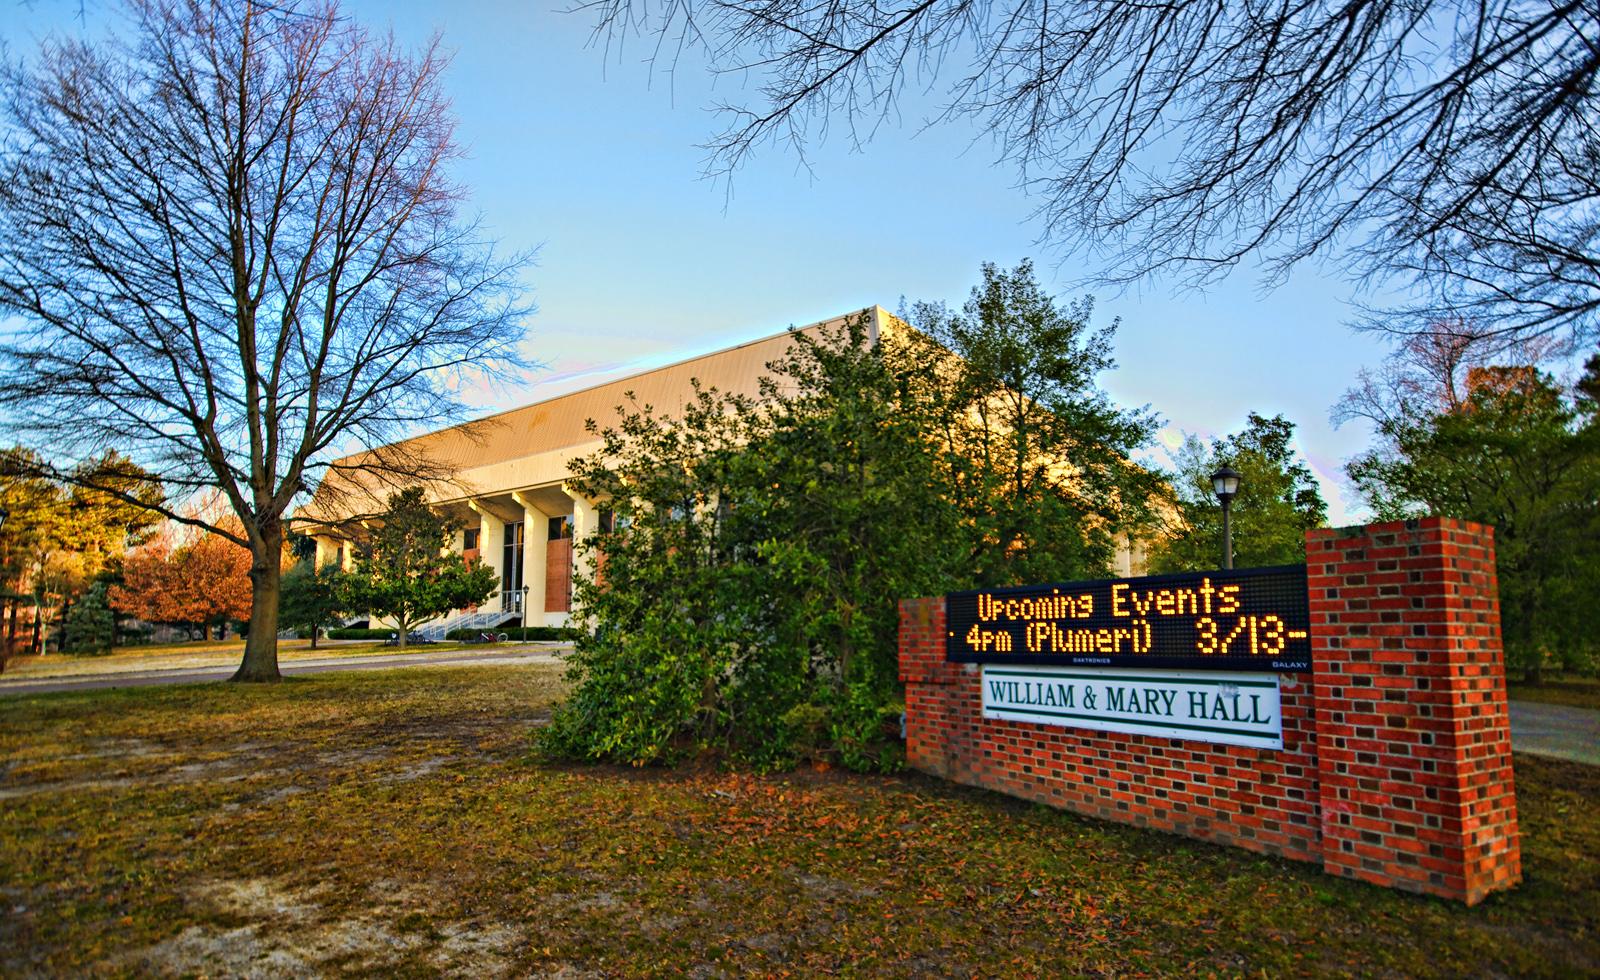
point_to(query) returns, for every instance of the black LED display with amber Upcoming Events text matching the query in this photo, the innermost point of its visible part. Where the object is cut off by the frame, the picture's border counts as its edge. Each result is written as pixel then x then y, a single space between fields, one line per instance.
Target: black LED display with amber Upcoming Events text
pixel 1241 621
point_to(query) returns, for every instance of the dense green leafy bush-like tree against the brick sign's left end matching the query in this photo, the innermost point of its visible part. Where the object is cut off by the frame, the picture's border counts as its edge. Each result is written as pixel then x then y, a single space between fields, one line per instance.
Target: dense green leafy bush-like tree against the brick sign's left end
pixel 748 600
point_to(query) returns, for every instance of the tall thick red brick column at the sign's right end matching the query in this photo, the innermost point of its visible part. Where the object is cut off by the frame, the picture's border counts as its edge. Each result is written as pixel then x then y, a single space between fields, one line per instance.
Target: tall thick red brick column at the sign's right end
pixel 1414 736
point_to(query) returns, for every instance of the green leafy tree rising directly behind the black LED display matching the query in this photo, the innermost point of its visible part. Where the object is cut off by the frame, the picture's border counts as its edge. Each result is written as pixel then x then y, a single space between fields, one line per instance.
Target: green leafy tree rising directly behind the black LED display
pixel 1039 457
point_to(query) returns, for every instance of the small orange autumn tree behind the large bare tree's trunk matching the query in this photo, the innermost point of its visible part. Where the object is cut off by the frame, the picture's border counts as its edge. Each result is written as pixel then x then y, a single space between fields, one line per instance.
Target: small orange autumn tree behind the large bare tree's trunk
pixel 198 579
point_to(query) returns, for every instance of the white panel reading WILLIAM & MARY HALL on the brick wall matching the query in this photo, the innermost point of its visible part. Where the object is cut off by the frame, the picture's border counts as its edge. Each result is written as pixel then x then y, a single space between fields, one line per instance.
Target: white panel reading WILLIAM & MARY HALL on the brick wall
pixel 1223 707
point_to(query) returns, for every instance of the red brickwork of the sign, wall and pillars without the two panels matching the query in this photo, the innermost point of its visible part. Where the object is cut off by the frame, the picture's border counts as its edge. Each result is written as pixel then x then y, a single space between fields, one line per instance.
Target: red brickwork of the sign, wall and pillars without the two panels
pixel 1396 761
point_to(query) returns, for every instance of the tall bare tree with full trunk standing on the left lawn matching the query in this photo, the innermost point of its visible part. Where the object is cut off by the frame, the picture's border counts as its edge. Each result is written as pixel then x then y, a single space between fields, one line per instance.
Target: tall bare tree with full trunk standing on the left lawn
pixel 230 249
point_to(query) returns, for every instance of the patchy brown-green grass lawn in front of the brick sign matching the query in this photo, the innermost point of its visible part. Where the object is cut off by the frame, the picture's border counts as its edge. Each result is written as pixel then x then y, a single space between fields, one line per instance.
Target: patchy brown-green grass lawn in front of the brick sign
pixel 393 822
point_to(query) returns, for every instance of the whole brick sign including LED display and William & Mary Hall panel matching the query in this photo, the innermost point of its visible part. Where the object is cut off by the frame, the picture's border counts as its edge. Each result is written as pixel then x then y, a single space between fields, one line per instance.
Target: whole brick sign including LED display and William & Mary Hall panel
pixel 1351 712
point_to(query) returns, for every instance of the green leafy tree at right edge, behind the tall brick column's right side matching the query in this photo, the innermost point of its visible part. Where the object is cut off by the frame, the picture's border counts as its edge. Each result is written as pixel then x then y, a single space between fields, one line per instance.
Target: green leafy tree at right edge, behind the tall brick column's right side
pixel 1522 454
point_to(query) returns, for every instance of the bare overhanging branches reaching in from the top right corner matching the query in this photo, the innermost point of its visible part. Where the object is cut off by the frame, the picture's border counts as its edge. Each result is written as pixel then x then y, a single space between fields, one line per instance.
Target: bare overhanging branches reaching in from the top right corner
pixel 1452 142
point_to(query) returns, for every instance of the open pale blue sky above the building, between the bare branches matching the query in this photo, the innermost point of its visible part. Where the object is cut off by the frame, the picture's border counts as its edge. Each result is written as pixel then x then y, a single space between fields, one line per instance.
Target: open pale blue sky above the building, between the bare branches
pixel 642 262
